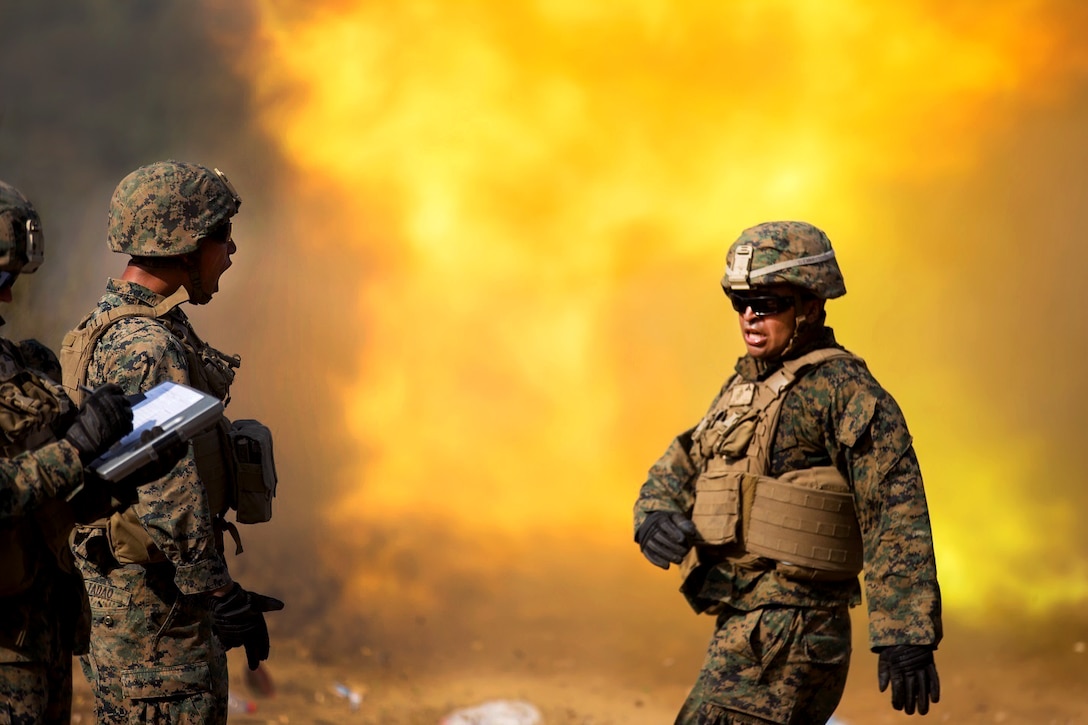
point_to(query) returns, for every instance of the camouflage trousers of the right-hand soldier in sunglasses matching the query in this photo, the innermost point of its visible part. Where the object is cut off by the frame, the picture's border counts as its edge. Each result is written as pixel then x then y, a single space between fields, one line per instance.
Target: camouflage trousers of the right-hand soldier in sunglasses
pixel 776 666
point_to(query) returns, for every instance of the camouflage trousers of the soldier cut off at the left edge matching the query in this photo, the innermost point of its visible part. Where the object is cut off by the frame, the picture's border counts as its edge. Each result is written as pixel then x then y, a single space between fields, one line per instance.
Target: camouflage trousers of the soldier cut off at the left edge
pixel 32 694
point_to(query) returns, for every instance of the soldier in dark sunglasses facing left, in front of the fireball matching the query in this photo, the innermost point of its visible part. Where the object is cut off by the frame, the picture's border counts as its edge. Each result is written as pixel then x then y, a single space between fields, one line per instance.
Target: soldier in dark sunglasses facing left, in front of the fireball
pixel 782 648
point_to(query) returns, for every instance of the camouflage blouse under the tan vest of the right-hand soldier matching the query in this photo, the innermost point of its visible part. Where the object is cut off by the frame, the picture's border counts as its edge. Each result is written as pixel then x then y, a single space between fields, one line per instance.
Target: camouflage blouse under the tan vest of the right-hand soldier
pixel 836 415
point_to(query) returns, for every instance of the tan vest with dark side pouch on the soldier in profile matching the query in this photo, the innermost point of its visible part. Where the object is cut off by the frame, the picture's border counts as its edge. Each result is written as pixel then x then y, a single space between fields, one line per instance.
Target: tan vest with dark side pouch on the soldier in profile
pixel 234 461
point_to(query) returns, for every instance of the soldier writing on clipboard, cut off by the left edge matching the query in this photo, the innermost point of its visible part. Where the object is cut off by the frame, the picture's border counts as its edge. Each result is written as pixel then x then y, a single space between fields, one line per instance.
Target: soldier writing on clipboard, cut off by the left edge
pixel 45 445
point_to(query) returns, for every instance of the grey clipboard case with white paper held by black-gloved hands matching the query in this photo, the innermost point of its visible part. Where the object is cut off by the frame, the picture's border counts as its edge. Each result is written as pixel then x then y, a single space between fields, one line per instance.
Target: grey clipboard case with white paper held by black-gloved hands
pixel 169 413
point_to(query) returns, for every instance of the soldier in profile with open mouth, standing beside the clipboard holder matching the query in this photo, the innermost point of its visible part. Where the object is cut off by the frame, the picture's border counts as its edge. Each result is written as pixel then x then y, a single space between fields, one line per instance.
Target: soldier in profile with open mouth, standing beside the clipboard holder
pixel 156 572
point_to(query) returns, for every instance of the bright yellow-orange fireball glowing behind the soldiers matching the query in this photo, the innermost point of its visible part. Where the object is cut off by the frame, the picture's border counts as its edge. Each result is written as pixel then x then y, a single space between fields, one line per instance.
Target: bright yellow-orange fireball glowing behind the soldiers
pixel 530 191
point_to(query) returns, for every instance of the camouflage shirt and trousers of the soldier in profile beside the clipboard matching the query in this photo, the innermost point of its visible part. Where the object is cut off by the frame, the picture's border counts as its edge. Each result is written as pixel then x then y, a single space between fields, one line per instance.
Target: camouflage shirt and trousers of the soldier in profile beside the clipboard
pixel 140 670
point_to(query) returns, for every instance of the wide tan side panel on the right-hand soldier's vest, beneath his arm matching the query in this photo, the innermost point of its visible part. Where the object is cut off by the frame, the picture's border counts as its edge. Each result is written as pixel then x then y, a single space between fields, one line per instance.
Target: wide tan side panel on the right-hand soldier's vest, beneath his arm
pixel 807 522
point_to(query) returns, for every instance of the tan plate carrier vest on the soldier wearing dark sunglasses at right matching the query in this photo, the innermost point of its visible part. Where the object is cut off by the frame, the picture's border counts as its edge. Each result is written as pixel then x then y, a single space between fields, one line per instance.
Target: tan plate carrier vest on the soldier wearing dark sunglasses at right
pixel 805 521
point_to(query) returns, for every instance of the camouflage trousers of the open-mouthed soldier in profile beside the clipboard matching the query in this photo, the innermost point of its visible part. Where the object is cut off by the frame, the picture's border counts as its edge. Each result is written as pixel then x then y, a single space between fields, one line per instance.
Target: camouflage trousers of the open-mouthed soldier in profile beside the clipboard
pixel 154 658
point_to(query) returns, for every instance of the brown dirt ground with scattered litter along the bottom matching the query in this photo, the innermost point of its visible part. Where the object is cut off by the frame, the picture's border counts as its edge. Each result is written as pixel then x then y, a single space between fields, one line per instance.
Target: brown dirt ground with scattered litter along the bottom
pixel 979 687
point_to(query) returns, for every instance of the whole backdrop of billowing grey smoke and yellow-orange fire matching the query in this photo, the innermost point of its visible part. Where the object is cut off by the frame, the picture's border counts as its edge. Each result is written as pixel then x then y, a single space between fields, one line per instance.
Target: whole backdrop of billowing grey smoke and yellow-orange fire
pixel 477 294
